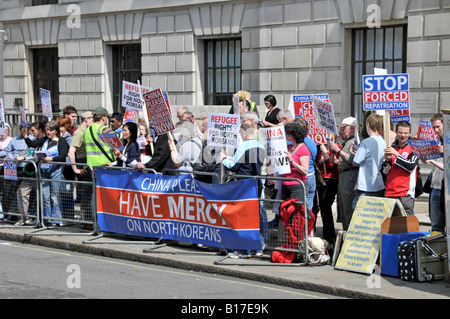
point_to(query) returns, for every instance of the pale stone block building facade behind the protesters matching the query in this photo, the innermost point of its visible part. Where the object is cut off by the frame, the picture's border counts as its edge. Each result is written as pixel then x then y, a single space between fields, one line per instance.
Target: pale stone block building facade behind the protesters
pixel 277 47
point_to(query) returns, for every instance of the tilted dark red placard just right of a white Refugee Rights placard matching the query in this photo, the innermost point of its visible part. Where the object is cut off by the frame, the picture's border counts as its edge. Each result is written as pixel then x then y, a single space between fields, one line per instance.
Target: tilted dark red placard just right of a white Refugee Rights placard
pixel 158 112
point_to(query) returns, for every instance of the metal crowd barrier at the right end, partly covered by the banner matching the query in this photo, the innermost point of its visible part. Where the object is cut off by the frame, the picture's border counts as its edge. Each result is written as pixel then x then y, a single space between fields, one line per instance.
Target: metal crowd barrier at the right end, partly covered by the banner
pixel 276 237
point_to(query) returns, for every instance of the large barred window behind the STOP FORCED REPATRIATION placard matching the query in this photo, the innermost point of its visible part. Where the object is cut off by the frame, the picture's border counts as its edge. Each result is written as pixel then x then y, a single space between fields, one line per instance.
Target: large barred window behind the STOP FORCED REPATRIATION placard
pixel 383 48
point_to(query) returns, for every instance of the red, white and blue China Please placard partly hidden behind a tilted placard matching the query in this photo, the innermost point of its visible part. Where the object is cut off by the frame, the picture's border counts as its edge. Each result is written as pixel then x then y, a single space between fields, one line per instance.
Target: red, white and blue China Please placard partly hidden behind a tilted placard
pixel 302 105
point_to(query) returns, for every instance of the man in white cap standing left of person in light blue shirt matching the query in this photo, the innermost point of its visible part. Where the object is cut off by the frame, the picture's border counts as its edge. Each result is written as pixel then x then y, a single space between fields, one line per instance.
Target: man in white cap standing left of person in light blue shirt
pixel 348 174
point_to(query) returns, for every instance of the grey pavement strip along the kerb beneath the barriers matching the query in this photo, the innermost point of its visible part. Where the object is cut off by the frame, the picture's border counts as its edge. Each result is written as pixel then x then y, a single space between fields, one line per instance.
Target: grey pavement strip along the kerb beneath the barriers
pixel 324 279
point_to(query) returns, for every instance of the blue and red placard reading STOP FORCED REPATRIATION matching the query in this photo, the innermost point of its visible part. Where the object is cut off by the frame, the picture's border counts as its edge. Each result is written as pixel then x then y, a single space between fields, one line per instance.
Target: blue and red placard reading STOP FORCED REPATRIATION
pixel 385 92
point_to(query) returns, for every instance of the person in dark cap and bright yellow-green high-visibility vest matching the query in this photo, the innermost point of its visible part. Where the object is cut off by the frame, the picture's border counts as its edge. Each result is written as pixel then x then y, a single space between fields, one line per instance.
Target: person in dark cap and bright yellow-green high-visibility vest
pixel 97 152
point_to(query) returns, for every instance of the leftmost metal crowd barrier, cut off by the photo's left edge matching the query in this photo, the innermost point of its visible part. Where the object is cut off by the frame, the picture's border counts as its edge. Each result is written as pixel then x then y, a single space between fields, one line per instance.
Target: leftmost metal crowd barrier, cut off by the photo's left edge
pixel 19 202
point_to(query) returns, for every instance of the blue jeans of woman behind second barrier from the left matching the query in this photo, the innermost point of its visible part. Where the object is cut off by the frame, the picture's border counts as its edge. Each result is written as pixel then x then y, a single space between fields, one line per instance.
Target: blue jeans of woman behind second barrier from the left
pixel 50 192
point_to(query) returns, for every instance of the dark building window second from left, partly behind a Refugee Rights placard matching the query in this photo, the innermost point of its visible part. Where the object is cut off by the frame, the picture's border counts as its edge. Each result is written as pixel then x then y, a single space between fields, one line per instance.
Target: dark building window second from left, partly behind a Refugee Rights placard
pixel 126 67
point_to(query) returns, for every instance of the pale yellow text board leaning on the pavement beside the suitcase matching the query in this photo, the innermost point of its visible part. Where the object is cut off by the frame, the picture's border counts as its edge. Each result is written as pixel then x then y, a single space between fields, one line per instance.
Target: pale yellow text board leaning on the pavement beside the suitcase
pixel 361 246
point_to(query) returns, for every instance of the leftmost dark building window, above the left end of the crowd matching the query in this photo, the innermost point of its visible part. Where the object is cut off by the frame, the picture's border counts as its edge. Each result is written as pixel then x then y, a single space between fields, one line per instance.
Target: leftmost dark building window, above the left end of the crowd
pixel 46 76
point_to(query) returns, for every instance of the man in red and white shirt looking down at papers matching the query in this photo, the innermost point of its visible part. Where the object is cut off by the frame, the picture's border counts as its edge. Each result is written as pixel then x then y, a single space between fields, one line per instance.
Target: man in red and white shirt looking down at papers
pixel 401 168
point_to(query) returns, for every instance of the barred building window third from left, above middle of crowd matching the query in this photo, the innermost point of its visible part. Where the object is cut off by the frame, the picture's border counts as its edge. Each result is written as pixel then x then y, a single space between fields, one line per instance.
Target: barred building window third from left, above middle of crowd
pixel 223 70
